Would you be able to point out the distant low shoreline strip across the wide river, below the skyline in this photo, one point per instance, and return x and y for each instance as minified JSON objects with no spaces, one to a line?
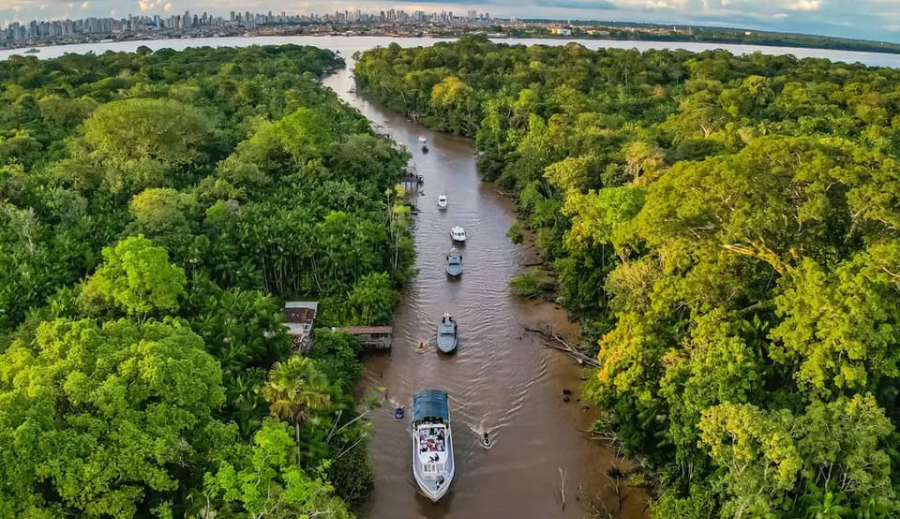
{"x":540,"y":29}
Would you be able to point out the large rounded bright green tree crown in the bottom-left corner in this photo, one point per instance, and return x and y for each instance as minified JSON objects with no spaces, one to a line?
{"x":101,"y":421}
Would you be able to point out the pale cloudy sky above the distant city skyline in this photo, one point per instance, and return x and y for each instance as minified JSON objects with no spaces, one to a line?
{"x":864,"y":19}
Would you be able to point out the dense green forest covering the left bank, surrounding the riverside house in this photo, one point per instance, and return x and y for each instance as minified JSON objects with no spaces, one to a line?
{"x":156,"y":208}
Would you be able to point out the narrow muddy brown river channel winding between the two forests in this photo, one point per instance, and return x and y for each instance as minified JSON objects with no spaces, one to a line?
{"x":502,"y":380}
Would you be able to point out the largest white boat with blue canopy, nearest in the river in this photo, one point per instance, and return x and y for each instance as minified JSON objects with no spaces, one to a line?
{"x":433,"y":465}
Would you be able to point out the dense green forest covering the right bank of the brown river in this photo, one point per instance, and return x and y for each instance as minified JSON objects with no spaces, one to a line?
{"x":728,"y":230}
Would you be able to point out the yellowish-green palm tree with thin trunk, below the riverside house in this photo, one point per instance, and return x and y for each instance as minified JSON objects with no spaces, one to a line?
{"x":294,"y":389}
